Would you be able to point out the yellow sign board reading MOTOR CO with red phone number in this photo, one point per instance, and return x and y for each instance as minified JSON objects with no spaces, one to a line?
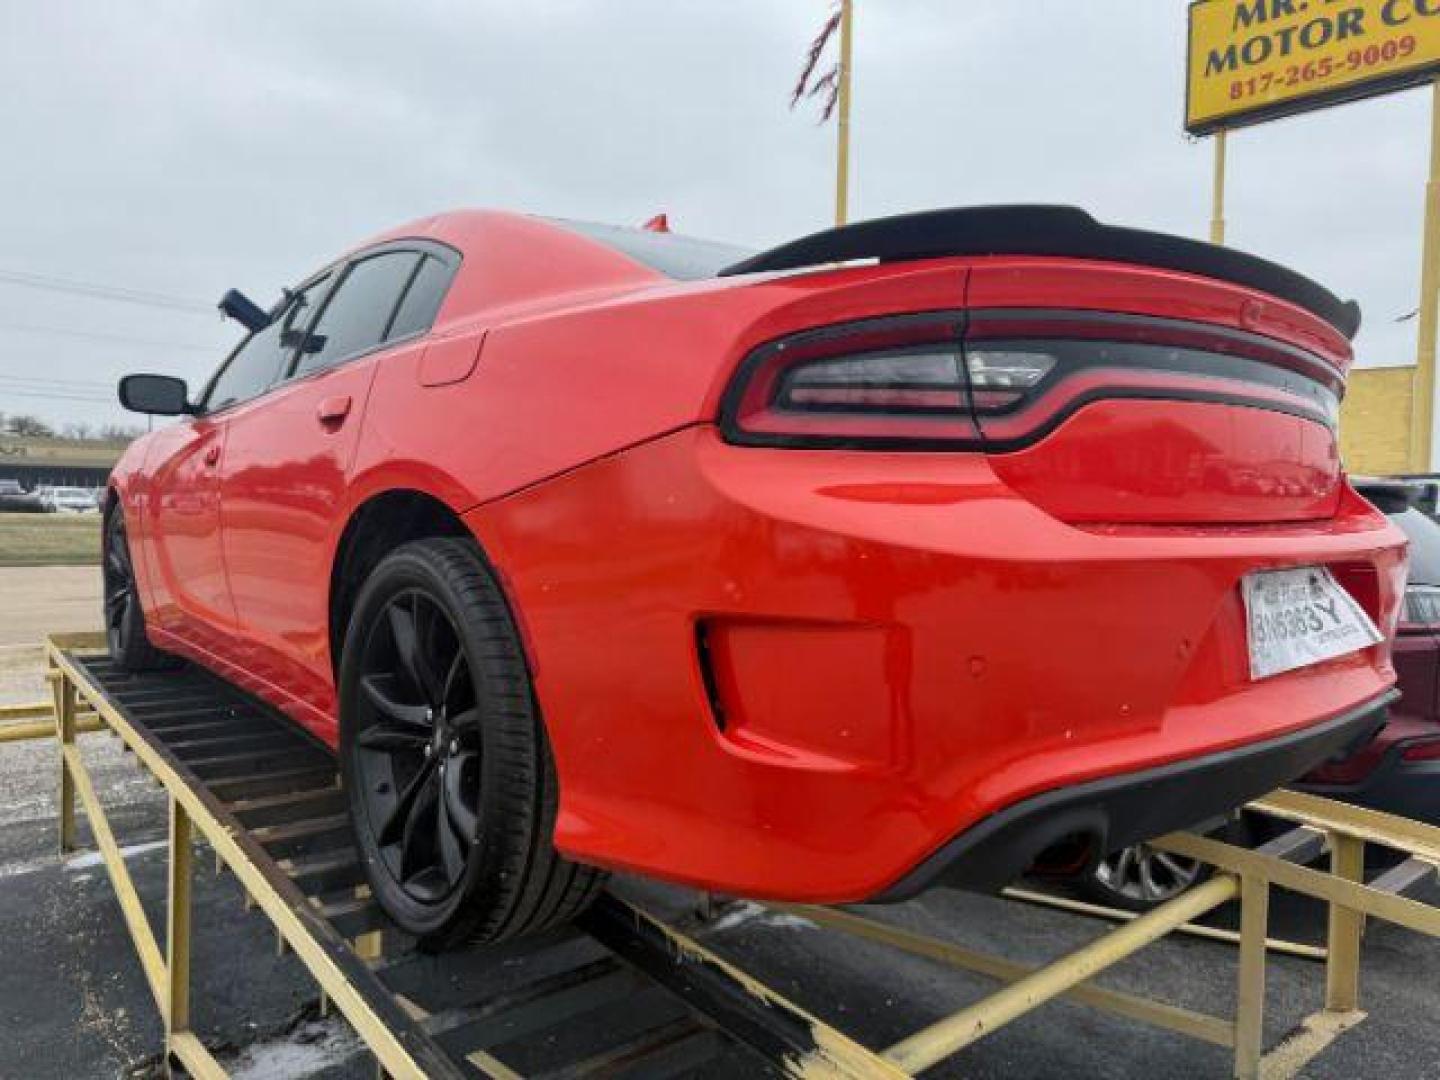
{"x":1259,"y":60}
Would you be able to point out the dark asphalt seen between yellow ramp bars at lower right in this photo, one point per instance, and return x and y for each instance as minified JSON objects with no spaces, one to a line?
{"x":881,"y":996}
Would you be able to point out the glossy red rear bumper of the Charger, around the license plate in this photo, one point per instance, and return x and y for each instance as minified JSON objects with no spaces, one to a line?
{"x":800,"y":675}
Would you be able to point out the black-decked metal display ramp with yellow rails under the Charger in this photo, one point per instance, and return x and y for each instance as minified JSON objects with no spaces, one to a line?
{"x":634,"y":994}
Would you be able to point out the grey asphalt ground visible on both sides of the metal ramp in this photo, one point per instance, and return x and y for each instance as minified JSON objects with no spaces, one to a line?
{"x":74,"y":1002}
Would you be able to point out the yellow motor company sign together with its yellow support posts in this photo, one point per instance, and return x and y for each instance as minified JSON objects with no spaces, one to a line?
{"x":1252,"y":61}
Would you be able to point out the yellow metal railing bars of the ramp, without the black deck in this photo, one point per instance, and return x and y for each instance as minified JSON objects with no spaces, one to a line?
{"x":1245,"y":876}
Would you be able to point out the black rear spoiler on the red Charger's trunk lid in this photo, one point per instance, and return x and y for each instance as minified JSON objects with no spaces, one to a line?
{"x":1061,"y":231}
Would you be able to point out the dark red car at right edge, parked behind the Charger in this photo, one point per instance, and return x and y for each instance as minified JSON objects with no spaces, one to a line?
{"x":1398,"y":771}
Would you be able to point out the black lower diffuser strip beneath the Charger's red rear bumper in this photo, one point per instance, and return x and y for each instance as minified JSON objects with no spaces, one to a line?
{"x":1127,"y":810}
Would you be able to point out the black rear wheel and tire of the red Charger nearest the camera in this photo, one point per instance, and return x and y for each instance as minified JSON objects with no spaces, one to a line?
{"x":450,"y":780}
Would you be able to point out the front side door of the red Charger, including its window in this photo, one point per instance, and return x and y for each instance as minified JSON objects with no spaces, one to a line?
{"x":191,"y":595}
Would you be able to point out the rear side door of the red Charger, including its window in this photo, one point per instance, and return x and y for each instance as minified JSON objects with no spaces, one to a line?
{"x":286,"y":473}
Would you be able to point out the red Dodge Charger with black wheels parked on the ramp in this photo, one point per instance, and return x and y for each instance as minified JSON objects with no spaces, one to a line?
{"x":922,"y":551}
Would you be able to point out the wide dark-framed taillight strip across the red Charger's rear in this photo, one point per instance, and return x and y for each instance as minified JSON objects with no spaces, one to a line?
{"x":1003,"y":379}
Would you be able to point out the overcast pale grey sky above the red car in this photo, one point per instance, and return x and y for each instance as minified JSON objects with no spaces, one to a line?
{"x":185,"y":148}
